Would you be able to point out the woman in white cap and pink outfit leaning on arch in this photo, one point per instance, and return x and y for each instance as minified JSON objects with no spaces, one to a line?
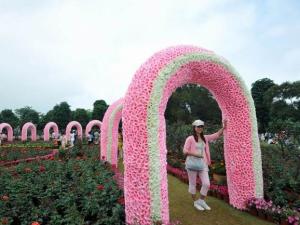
{"x":196,"y":148}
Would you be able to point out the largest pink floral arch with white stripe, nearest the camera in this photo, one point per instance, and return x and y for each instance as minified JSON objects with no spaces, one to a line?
{"x":144,"y":129}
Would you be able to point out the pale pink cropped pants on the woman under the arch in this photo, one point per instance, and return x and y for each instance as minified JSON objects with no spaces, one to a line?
{"x":204,"y":180}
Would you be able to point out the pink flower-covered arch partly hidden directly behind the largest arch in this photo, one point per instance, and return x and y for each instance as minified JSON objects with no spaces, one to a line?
{"x":109,"y":132}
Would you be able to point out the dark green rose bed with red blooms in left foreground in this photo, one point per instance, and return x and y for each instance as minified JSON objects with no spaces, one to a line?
{"x":72,"y":190}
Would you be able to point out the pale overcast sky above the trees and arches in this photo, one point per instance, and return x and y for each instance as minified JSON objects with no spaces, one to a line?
{"x":83,"y":50}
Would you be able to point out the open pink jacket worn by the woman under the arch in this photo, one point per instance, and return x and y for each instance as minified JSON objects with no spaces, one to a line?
{"x":190,"y":145}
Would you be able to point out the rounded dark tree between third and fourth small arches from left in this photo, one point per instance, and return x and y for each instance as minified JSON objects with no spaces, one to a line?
{"x":61,"y":115}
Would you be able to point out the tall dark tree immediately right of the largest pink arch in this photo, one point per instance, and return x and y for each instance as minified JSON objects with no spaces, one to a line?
{"x":258,"y":90}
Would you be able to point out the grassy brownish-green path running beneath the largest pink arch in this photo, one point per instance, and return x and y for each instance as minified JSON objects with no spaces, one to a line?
{"x":182,"y":209}
